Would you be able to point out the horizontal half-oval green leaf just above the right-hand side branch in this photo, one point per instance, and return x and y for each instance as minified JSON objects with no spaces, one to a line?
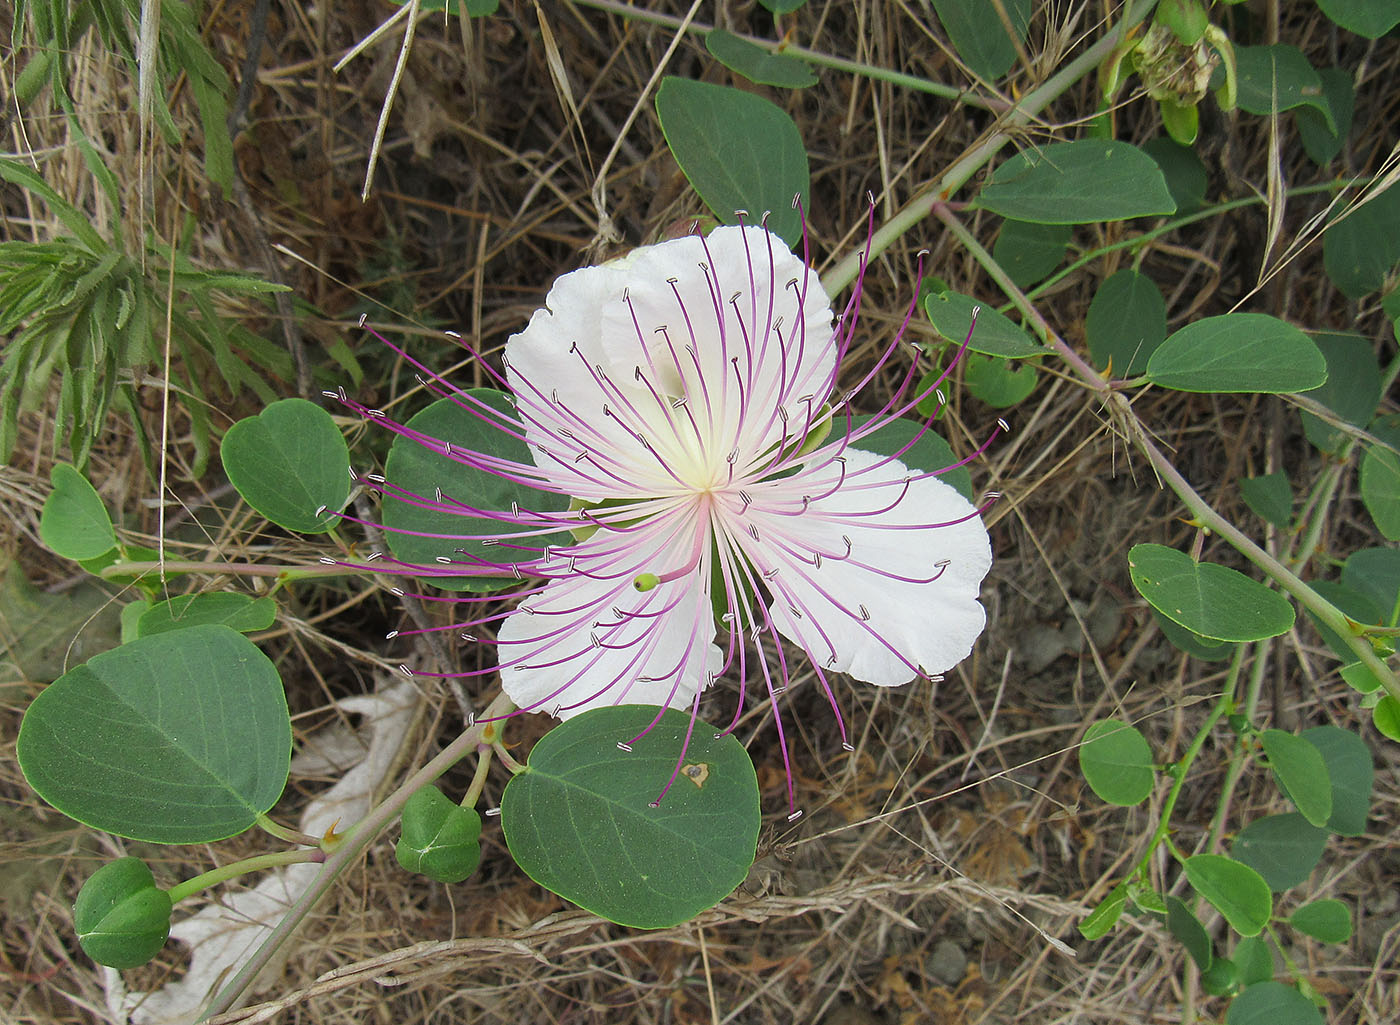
{"x":1238,"y":354}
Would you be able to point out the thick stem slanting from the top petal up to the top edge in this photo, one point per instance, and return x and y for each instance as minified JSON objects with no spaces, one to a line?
{"x":962,"y":170}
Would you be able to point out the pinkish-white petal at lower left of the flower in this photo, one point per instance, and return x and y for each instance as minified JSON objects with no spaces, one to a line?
{"x":590,"y":642}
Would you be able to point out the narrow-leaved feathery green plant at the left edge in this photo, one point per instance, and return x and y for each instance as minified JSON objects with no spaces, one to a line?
{"x":85,"y":310}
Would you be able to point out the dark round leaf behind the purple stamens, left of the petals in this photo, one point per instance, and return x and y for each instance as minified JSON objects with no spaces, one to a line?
{"x":422,"y":470}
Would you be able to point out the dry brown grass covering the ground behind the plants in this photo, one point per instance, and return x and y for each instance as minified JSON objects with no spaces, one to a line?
{"x":962,"y":814}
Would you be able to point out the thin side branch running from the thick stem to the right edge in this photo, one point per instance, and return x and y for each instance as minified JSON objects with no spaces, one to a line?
{"x":1122,"y":411}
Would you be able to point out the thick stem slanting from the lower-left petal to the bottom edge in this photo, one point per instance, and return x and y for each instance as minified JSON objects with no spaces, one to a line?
{"x":352,"y":846}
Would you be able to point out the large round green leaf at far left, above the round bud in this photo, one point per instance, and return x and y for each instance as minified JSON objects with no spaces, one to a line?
{"x":177,"y":739}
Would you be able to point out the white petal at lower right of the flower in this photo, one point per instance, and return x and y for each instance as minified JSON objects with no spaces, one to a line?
{"x":864,"y":614}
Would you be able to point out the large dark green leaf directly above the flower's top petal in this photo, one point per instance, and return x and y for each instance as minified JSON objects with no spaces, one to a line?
{"x":740,"y":152}
